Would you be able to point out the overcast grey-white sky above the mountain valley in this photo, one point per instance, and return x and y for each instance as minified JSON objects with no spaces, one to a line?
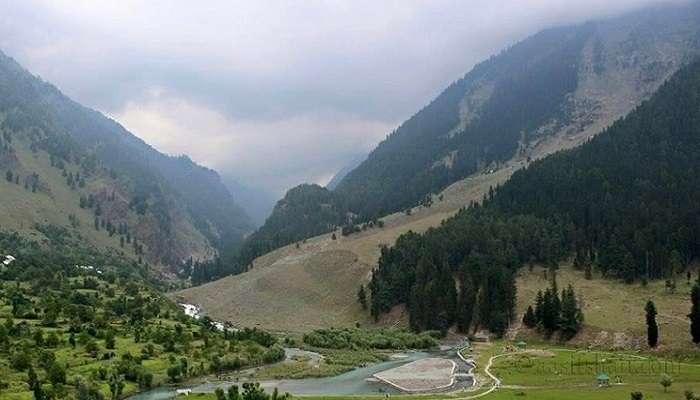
{"x":273,"y":93}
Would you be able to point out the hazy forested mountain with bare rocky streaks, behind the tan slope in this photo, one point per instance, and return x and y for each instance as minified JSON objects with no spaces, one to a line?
{"x":551,"y":91}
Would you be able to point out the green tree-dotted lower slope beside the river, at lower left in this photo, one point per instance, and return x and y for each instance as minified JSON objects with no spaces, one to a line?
{"x":103,"y":332}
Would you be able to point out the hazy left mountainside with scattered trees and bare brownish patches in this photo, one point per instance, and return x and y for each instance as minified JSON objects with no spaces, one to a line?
{"x":66,"y":166}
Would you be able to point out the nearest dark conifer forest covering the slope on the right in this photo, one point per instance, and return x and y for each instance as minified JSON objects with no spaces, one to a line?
{"x":625,"y":203}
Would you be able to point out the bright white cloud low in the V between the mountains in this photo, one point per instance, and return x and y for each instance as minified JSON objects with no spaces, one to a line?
{"x":268,"y":154}
